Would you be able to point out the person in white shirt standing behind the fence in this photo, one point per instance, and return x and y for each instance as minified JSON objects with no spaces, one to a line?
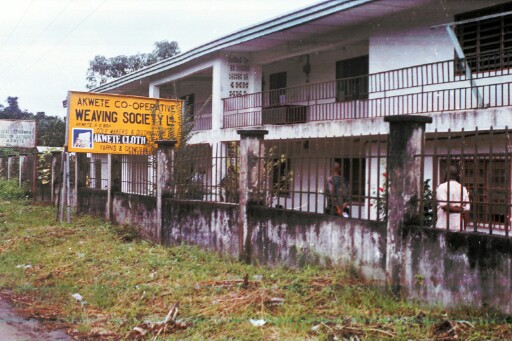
{"x":452,"y":202}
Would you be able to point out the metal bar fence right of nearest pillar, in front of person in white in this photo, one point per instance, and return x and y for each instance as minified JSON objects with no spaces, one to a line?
{"x":483,"y":159}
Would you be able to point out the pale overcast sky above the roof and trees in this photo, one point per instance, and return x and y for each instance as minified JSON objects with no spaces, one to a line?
{"x":46,"y":45}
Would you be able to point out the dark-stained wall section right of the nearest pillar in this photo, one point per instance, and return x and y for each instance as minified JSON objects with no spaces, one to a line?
{"x":453,"y":268}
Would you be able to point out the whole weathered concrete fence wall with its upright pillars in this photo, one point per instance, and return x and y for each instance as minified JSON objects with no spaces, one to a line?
{"x":432,"y":265}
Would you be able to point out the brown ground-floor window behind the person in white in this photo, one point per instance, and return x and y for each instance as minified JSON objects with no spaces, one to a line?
{"x":486,"y":180}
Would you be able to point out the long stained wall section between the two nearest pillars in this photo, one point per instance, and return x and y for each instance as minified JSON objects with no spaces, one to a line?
{"x":295,"y":238}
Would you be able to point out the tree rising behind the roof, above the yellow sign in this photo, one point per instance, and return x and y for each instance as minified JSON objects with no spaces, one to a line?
{"x":102,"y":69}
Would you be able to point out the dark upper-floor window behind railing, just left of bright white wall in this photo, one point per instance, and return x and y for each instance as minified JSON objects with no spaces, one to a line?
{"x":352,"y":79}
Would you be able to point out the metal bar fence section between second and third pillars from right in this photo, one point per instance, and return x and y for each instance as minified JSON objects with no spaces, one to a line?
{"x":206,"y":173}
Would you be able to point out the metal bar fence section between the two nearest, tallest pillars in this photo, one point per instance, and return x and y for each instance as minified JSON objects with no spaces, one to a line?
{"x":341,"y":176}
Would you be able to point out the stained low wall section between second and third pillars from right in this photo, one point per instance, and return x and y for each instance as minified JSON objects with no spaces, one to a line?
{"x":212,"y":226}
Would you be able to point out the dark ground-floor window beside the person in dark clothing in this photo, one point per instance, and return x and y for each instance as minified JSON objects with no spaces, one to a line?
{"x":354,"y":171}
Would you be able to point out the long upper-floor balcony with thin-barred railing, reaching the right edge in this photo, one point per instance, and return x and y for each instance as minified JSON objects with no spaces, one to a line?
{"x":420,"y":89}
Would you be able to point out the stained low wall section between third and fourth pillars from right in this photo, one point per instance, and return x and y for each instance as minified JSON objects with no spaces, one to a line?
{"x":138,"y":211}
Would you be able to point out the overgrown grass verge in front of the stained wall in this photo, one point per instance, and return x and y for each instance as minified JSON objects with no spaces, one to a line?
{"x":126,"y":281}
